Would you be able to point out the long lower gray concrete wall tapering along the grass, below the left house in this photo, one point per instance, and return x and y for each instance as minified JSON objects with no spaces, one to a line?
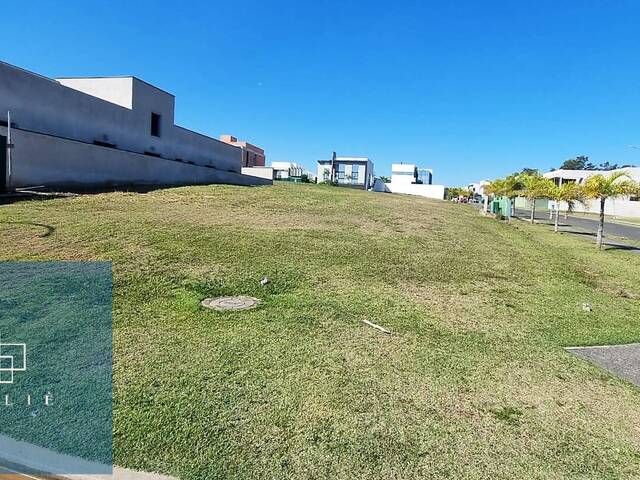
{"x":39,"y":159}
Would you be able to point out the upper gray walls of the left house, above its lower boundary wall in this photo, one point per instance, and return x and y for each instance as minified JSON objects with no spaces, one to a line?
{"x":46,"y":106}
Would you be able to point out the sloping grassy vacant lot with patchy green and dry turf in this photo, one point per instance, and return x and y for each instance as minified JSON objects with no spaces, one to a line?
{"x":473,"y":383}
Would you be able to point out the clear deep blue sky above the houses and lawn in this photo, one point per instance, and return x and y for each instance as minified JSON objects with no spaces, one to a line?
{"x":472,"y":89}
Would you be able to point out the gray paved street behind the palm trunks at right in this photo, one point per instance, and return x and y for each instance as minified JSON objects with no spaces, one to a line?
{"x":589,"y":226}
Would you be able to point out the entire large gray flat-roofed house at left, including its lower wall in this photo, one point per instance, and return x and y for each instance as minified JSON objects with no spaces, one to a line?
{"x":101,"y":132}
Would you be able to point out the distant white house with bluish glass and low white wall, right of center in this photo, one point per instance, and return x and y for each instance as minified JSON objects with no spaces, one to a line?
{"x":409,"y":179}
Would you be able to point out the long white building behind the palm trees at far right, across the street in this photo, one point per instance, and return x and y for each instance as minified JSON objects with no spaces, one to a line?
{"x":622,"y":207}
